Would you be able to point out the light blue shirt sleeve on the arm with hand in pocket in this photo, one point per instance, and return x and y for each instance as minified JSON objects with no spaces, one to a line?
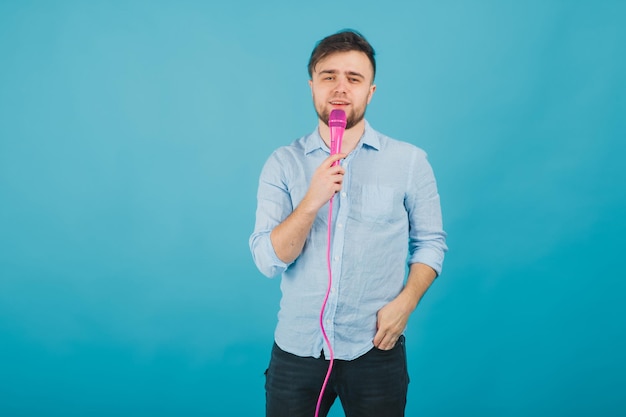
{"x":427,"y":239}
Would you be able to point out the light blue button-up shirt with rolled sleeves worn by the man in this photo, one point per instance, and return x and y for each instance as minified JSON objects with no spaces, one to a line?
{"x":386,"y":215}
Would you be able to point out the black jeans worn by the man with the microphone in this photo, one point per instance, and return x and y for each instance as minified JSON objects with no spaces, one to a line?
{"x":374,"y":384}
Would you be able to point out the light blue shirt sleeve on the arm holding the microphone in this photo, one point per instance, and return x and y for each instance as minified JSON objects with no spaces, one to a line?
{"x":273,"y":206}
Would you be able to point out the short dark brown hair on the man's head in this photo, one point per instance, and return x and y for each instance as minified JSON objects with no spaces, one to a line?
{"x":343,"y":41}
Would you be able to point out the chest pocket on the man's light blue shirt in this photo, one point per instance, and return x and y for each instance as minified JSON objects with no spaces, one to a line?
{"x":379,"y":204}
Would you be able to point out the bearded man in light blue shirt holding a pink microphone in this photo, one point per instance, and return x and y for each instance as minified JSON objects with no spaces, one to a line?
{"x":385,"y":196}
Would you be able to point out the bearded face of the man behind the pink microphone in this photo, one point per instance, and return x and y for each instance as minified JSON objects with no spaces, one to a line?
{"x":343,"y":80}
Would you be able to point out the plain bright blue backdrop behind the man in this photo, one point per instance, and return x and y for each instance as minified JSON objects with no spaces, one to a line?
{"x":131,"y":139}
